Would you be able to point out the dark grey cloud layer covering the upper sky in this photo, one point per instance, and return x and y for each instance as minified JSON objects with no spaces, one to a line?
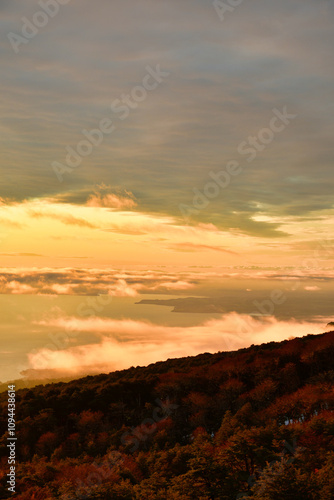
{"x":225,"y":79}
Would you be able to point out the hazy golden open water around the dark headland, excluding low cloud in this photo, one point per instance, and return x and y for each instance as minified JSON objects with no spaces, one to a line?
{"x":21,"y":315}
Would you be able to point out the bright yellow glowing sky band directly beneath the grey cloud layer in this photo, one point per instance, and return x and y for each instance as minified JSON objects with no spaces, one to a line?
{"x":112,"y":228}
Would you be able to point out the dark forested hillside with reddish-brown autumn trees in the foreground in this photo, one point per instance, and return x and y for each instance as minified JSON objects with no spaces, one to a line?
{"x":255,"y":423}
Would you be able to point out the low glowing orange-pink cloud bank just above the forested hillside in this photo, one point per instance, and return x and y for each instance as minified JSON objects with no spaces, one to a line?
{"x":126,"y":343}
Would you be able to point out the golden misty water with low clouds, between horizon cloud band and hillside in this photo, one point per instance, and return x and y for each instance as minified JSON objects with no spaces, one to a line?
{"x":73,"y":339}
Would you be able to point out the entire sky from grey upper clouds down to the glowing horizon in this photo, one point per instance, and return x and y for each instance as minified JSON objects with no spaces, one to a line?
{"x":141,"y":141}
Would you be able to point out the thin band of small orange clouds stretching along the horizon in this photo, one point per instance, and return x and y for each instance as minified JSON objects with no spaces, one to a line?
{"x":87,"y":281}
